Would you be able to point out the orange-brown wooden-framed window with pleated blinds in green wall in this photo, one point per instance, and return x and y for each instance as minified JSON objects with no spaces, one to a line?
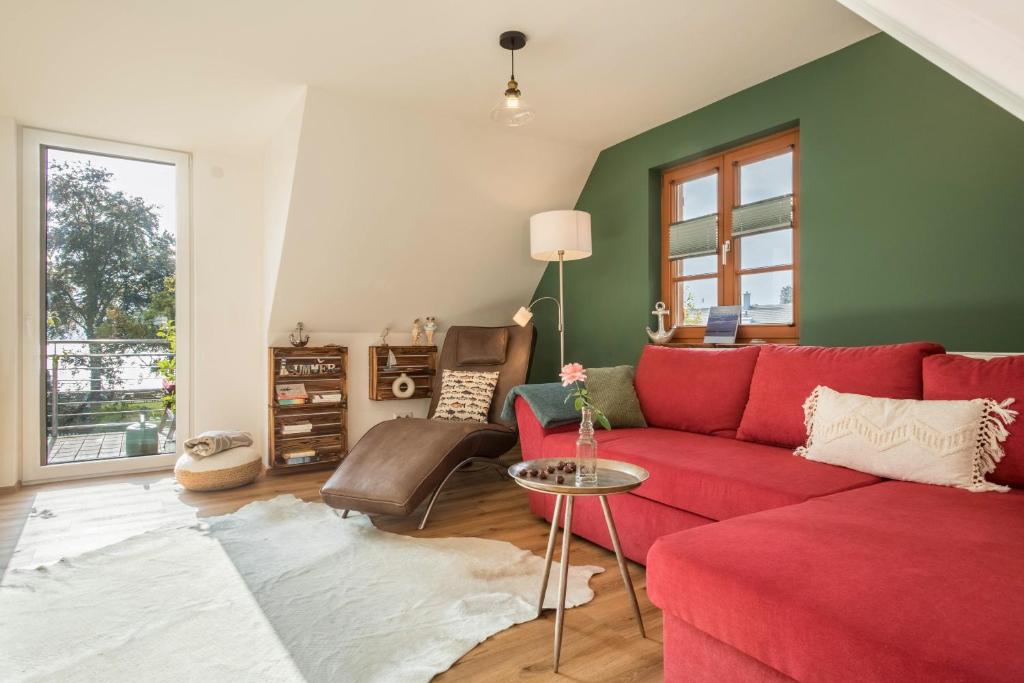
{"x":731,"y":229}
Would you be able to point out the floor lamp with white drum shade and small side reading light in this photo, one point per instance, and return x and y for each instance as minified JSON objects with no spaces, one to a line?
{"x":558,"y":236}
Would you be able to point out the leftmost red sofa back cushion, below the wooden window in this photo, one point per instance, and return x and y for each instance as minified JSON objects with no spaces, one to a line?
{"x":697,"y":391}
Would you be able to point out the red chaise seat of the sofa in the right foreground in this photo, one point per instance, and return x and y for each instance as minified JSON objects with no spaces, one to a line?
{"x":895,"y":582}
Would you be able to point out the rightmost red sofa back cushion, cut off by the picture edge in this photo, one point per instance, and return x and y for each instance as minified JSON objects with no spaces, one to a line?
{"x":954,"y":377}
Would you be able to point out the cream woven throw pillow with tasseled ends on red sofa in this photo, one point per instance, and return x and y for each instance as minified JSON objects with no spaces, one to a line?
{"x":948,"y":443}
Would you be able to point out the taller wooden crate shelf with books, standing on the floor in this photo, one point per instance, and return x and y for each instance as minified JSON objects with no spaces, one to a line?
{"x":309,"y":408}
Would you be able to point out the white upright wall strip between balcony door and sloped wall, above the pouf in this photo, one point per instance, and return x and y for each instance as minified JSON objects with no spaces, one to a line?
{"x":229,"y":350}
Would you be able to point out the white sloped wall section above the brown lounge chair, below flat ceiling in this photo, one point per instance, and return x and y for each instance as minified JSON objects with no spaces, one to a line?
{"x":398,"y":215}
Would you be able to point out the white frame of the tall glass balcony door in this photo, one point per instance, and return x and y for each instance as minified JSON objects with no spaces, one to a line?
{"x":33,"y":335}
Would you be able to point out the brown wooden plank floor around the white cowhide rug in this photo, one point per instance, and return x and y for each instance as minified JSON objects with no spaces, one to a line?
{"x":602,"y":644}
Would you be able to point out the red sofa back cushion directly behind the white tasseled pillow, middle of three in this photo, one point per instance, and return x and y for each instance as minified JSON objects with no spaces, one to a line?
{"x":786,"y":376}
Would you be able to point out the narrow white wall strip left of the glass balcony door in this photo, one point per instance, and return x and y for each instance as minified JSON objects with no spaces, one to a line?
{"x":11,"y":300}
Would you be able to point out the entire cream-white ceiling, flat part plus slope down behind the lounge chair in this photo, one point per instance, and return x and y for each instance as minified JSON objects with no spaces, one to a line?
{"x":404,"y":199}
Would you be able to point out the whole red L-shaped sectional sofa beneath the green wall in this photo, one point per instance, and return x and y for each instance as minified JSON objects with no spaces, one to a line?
{"x":772,"y":568}
